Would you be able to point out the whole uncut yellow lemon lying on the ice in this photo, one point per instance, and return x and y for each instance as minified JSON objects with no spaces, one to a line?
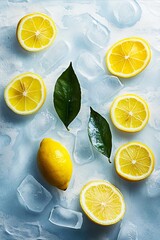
{"x":55,"y":163}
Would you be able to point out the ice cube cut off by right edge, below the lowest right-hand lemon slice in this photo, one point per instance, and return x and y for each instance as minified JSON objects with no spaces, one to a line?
{"x":153,"y":184}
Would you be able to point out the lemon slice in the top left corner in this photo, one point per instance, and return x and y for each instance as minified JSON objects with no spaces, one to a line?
{"x":36,"y":32}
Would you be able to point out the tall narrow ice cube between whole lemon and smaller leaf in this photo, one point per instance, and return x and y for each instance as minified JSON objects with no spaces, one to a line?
{"x":83,"y":152}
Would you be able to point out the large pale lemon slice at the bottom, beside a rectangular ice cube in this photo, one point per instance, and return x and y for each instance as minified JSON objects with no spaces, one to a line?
{"x":102,"y":202}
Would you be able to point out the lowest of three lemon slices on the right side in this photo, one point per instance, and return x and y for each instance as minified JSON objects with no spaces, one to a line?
{"x":134,"y":161}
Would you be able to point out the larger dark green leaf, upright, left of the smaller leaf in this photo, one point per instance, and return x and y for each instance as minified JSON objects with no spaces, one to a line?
{"x":67,"y":96}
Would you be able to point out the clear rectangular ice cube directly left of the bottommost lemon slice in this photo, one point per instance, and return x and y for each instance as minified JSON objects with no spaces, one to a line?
{"x":66,"y":217}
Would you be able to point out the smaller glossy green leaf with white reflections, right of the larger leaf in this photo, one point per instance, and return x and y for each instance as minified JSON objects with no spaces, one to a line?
{"x":100,"y":134}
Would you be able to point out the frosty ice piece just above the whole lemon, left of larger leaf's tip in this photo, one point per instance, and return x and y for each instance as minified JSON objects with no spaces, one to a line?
{"x":45,"y":121}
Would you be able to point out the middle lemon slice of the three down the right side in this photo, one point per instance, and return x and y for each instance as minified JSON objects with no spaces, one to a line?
{"x":129,"y":113}
